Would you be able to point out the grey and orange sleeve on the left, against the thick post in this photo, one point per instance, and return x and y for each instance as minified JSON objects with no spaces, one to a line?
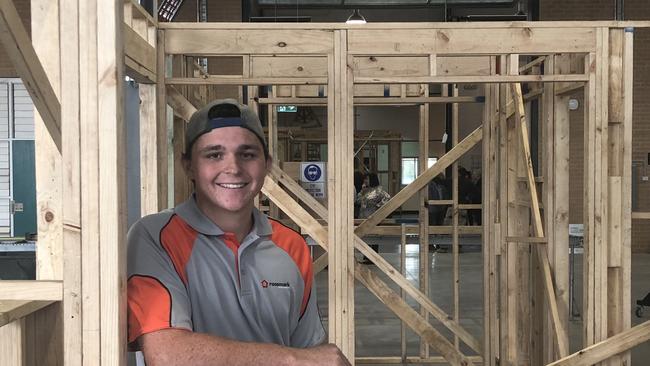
{"x":157,"y":297}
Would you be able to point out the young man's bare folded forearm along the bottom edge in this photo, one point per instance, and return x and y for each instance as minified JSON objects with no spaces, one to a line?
{"x":181,"y":347}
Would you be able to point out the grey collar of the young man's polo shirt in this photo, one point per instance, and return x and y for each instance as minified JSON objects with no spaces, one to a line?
{"x":189,"y":211}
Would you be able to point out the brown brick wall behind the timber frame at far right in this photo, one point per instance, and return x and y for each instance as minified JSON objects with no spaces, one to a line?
{"x":604,"y":10}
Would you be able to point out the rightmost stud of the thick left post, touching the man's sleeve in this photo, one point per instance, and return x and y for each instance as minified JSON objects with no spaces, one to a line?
{"x":112,"y":175}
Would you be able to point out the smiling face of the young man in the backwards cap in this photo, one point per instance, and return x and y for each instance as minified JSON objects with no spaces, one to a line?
{"x":228,"y":167}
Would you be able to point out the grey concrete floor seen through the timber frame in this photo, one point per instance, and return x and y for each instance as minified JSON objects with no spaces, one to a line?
{"x":378,"y":330}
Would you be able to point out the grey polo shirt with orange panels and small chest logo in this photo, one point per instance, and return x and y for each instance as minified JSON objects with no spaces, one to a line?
{"x":184,"y":272}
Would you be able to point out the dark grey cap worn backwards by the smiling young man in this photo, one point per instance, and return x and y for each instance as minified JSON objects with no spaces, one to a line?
{"x":223,"y":113}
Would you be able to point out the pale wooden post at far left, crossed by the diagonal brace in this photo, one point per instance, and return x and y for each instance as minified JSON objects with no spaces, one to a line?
{"x":45,"y":331}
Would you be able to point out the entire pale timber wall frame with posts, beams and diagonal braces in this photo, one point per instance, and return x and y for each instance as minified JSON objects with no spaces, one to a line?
{"x":75,"y":313}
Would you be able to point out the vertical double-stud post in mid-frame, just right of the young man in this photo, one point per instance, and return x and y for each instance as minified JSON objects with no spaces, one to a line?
{"x":341,"y":228}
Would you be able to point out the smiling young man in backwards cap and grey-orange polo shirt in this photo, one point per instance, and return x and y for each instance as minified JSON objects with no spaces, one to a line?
{"x":214,"y":281}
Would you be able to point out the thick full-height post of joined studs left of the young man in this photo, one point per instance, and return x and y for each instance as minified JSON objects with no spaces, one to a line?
{"x":95,"y":185}
